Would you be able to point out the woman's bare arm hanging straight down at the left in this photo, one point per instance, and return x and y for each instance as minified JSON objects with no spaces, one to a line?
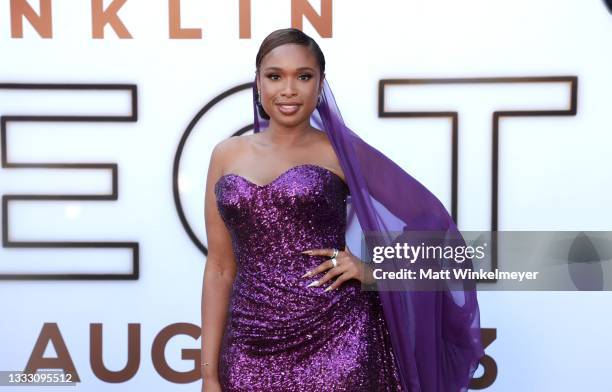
{"x":219,"y":272}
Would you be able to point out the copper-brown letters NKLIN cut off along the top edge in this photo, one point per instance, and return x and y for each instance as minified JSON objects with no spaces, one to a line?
{"x":102,"y":16}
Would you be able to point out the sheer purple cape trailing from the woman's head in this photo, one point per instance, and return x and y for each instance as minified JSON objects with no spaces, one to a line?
{"x":435,"y":334}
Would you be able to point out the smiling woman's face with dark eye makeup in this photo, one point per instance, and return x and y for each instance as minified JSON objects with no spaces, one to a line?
{"x":289,"y":84}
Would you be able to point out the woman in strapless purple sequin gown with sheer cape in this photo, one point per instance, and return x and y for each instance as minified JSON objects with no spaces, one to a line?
{"x":275,"y":210}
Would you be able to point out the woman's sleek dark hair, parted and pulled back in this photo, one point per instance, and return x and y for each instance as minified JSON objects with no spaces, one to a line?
{"x":282,"y":37}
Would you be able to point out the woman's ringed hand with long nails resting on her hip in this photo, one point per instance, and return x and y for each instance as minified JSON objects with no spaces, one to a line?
{"x":347,"y":267}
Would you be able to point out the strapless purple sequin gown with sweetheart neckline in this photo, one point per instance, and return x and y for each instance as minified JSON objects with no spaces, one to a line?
{"x":282,"y":335}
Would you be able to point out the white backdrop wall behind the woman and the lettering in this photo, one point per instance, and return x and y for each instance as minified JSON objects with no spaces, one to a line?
{"x":554,"y":170}
